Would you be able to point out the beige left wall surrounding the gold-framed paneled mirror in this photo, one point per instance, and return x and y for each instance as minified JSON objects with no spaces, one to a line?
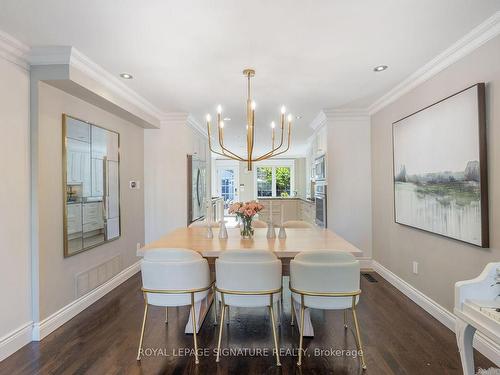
{"x":57,"y":274}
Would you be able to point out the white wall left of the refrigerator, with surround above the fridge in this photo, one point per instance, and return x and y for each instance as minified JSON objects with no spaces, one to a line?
{"x":165,"y":175}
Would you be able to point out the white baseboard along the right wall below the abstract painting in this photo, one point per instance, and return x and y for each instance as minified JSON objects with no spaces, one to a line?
{"x":483,"y":344}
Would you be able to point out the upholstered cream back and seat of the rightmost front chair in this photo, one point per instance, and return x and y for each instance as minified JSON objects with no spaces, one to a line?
{"x":325,"y":271}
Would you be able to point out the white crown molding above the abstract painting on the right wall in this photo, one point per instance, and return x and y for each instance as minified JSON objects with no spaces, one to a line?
{"x":478,"y":36}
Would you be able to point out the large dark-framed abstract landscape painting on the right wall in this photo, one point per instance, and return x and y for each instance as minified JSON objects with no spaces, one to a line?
{"x":440,"y":168}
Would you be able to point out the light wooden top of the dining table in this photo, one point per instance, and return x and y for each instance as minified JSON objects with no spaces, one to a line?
{"x":297,"y":240}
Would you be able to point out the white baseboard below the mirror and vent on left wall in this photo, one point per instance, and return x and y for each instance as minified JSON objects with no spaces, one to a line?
{"x":54,"y":321}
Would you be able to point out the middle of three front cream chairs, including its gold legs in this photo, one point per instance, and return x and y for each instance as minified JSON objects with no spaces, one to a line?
{"x":237,"y":284}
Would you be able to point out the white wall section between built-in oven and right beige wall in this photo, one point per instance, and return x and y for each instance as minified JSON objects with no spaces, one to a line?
{"x":349,"y":179}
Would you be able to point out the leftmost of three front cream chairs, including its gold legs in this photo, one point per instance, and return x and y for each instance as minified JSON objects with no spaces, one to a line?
{"x":174,"y":277}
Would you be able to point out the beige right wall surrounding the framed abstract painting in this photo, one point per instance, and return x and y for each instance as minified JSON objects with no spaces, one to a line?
{"x":442,"y":261}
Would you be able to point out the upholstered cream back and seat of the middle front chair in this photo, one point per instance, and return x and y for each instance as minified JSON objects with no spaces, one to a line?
{"x":248,"y":271}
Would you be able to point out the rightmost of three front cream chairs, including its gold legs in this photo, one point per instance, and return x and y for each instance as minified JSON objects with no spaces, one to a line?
{"x":328,"y":280}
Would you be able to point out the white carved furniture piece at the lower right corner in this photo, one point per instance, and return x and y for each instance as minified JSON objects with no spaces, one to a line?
{"x":476,"y":305}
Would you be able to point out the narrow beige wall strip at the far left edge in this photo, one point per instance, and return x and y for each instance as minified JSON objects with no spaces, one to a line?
{"x":15,"y":253}
